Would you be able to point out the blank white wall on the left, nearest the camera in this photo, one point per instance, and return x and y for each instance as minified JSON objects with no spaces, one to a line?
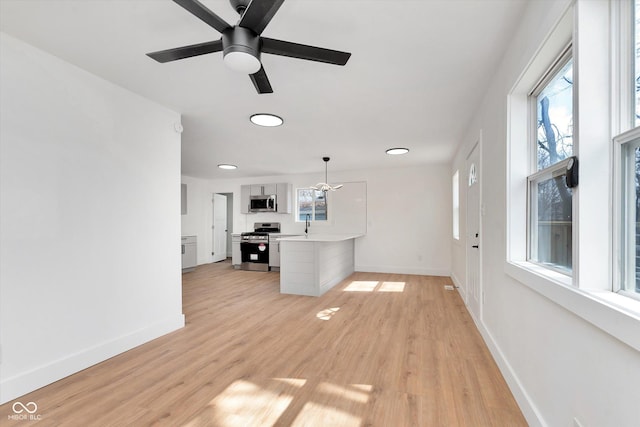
{"x":89,"y":219}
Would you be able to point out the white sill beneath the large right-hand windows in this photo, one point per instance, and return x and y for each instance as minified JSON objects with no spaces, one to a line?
{"x":617,"y":315}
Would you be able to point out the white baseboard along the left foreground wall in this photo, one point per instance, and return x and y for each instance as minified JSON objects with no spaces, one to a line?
{"x":26,"y":382}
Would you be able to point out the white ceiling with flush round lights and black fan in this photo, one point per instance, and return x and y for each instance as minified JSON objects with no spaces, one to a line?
{"x":417,"y":73}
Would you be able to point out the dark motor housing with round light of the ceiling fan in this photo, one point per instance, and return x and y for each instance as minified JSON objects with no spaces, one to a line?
{"x":241,"y":49}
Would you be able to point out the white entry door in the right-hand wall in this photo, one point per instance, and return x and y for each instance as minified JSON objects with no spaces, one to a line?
{"x":474,"y":277}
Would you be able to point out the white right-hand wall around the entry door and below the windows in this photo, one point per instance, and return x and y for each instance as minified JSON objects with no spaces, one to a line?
{"x":559,"y":366}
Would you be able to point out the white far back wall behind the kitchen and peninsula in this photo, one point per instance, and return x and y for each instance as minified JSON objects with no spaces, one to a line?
{"x":408,"y":216}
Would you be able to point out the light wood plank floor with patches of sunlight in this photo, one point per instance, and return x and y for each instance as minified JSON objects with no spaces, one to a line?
{"x":377,"y":350}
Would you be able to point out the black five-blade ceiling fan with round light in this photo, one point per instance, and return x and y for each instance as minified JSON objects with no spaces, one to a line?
{"x":242,"y":43}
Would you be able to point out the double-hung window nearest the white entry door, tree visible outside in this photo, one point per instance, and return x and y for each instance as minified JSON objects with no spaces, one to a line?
{"x":550,"y":200}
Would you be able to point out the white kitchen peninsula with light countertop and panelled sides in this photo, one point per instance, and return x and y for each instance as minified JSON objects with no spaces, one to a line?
{"x":311,"y":265}
